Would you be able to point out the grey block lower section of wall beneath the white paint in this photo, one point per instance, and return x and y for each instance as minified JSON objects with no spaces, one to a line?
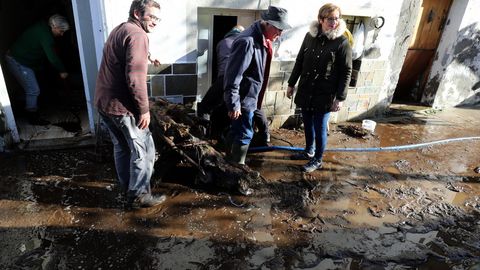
{"x":178,"y":82}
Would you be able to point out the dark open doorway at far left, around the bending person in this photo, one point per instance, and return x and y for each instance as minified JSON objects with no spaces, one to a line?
{"x":61,"y":102}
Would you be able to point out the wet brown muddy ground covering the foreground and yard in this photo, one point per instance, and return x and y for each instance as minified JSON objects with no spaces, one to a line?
{"x":414,"y":209}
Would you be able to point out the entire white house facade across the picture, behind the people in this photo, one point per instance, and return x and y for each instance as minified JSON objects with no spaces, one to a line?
{"x":185,"y":39}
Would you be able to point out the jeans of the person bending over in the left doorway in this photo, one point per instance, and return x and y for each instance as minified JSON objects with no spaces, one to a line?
{"x":26,"y":77}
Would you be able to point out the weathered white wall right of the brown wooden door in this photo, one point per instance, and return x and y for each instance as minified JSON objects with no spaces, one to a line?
{"x":455,"y":77}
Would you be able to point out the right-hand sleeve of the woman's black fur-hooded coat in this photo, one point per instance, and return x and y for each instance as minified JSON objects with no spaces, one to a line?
{"x":344,"y":70}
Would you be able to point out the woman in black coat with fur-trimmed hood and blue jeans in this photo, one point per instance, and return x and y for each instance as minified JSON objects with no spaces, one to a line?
{"x":324,"y":66}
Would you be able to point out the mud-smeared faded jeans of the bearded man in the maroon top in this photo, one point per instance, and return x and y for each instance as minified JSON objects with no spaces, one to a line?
{"x":134,"y":153}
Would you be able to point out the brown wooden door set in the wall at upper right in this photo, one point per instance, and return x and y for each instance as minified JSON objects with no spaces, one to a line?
{"x":421,"y":52}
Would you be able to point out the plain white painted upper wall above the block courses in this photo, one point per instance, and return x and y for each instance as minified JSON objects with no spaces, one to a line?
{"x":175,"y":39}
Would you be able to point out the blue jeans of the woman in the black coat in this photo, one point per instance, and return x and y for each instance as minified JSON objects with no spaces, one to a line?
{"x":315,"y":124}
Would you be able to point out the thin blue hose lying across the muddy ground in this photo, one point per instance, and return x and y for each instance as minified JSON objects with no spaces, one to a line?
{"x":372,"y":149}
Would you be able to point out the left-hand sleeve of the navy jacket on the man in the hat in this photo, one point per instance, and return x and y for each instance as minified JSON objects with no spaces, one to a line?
{"x":241,"y":55}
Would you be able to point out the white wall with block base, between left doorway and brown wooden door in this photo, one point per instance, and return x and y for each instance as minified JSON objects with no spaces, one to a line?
{"x":175,"y":44}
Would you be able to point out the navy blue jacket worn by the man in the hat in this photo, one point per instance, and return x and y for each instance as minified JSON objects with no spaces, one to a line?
{"x":244,"y":72}
